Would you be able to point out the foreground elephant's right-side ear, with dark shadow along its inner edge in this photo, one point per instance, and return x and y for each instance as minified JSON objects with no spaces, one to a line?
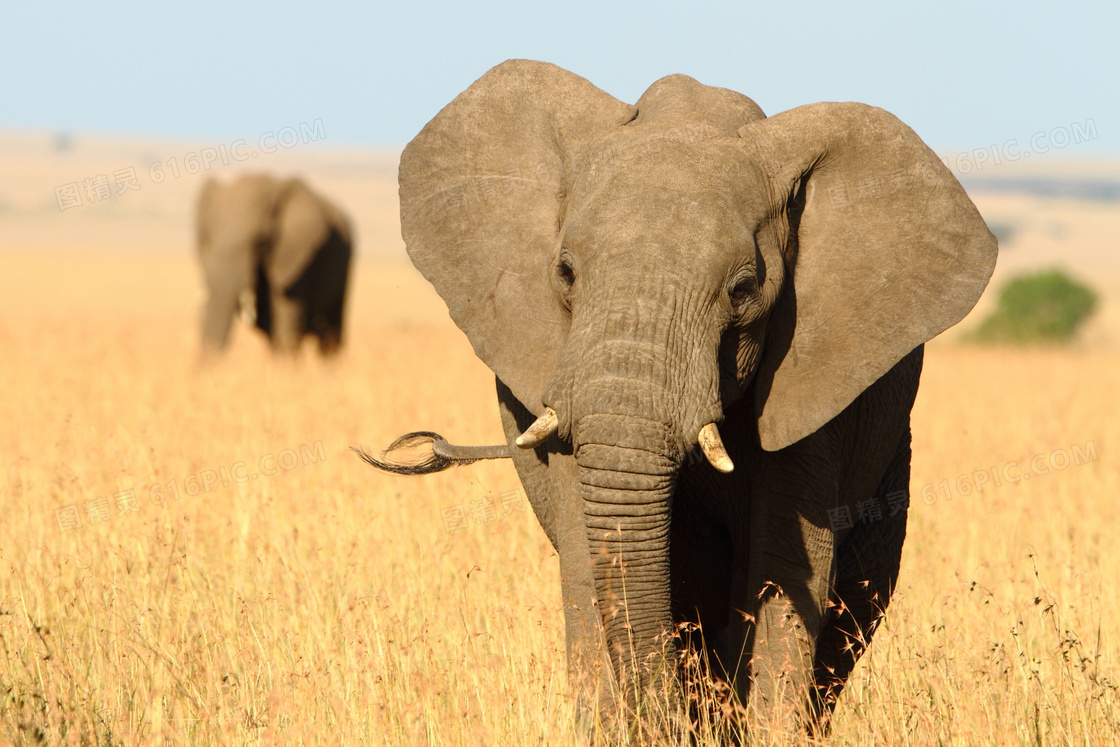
{"x":886,"y":251}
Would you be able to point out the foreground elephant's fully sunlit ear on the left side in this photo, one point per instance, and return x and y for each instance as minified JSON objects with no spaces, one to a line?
{"x":482,"y":192}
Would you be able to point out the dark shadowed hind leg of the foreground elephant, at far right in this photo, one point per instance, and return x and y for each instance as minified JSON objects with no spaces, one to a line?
{"x":867,"y":572}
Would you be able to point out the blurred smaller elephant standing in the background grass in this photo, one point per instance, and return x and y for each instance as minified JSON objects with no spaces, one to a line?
{"x":278,"y":254}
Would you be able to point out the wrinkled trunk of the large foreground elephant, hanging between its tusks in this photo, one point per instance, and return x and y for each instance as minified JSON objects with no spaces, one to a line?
{"x":634,"y":394}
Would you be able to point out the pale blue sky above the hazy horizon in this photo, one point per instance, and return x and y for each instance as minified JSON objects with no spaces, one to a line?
{"x":964,"y":76}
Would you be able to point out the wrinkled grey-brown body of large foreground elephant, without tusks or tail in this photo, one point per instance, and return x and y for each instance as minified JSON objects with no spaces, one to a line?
{"x":647,"y":270}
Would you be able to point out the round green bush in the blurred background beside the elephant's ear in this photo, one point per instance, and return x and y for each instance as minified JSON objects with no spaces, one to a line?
{"x":1041,"y":309}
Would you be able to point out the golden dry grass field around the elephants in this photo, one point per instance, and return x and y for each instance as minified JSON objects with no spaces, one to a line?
{"x":304,"y":599}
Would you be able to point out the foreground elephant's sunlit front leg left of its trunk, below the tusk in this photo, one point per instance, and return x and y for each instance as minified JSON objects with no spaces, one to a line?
{"x":552,"y":481}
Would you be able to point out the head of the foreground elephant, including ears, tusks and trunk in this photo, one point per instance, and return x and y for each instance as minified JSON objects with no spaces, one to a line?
{"x":630,"y":273}
